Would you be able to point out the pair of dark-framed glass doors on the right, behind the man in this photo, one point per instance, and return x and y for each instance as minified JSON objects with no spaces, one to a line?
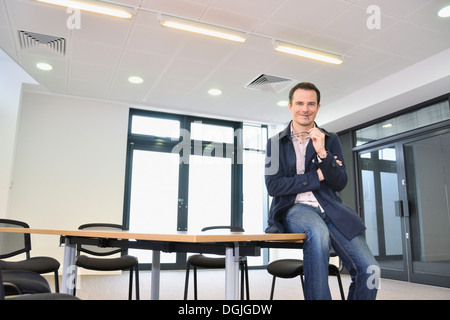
{"x":405,"y":203}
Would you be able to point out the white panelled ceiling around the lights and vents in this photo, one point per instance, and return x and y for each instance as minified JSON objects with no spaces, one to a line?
{"x":405,"y":61}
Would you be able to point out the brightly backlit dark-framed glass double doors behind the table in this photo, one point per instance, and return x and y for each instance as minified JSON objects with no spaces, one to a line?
{"x":181,"y":176}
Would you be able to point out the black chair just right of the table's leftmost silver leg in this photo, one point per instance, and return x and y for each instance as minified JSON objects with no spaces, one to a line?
{"x":124,"y":262}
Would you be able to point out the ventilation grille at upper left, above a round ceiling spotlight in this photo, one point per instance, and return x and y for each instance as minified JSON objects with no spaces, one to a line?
{"x":30,"y":40}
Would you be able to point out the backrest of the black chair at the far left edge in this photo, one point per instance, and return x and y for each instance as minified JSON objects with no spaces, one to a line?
{"x":12,"y":244}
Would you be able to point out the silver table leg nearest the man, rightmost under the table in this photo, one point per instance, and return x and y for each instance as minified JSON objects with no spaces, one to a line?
{"x":232,"y":273}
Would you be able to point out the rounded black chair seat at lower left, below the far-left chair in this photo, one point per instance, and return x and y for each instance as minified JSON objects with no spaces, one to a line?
{"x":28,"y":282}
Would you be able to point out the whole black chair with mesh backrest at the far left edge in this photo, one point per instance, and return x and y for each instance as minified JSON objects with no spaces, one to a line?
{"x":17,"y":243}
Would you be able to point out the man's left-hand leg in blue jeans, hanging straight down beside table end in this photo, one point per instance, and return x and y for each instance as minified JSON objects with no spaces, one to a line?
{"x":302,"y":218}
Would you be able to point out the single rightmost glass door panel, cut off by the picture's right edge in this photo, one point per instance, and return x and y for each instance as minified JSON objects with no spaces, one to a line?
{"x":427,"y":167}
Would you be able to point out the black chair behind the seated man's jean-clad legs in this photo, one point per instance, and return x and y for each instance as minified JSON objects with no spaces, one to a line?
{"x":291,"y":268}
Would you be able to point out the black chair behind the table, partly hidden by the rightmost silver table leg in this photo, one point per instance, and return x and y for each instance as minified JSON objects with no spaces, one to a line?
{"x":201,"y":261}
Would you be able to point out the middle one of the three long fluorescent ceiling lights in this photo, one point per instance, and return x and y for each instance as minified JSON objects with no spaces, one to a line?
{"x":202,"y":28}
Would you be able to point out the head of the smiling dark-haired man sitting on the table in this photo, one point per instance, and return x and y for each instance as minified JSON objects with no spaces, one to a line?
{"x":304,"y":103}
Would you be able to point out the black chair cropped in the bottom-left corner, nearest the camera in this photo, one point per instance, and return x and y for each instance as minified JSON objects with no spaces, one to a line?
{"x":27,"y":285}
